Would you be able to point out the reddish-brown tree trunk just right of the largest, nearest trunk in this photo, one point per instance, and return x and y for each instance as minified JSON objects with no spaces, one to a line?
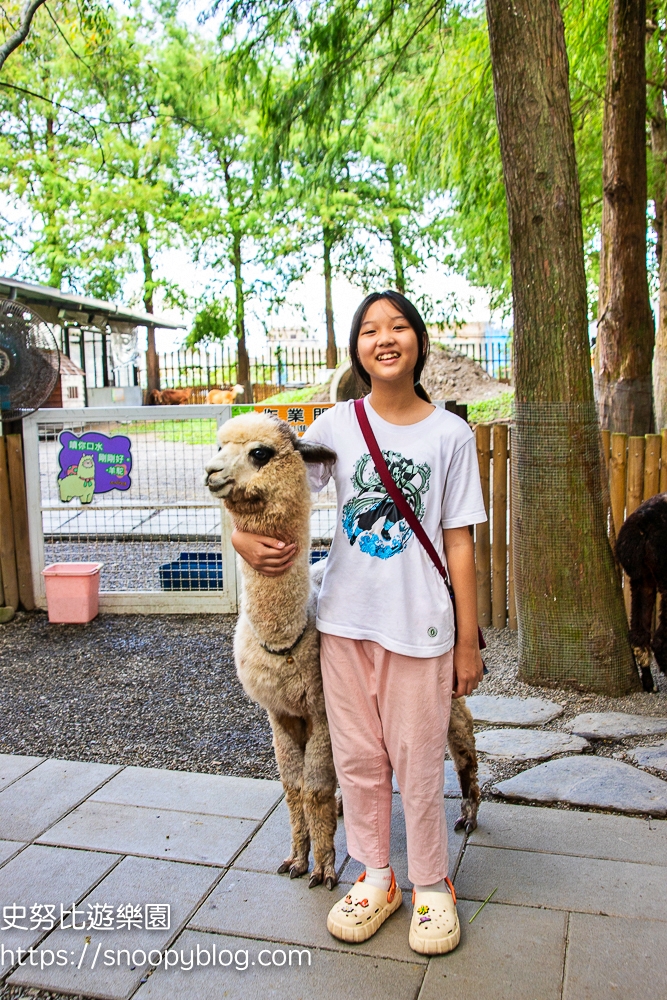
{"x":624,"y":349}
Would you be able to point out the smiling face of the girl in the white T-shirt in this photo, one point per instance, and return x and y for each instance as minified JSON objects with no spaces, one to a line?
{"x":387,"y":345}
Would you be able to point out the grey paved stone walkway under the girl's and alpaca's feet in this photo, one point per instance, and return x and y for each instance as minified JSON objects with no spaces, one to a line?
{"x":579,"y":910}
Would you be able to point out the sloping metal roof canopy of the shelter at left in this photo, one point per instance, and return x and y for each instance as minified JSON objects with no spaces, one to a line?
{"x":77,"y":308}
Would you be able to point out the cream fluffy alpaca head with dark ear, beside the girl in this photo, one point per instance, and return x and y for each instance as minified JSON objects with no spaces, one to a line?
{"x":260,"y":460}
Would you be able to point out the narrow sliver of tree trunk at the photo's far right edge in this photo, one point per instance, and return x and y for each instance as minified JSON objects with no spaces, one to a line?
{"x":659,"y":150}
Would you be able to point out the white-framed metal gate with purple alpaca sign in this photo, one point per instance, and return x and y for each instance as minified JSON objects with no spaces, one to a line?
{"x":163,"y":540}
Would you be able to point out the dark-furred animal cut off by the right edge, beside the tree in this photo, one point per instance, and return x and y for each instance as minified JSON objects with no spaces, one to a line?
{"x":641,"y":549}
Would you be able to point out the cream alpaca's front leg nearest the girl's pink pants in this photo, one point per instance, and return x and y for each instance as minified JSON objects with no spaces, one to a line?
{"x":320,"y":804}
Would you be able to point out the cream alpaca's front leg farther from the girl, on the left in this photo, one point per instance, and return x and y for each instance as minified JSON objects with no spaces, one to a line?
{"x":289,"y":736}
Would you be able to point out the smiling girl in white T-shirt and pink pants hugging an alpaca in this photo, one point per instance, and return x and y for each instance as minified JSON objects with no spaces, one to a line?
{"x":391,"y":660}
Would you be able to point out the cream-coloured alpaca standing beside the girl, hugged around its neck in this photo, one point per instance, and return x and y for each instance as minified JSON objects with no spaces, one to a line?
{"x":260,"y":474}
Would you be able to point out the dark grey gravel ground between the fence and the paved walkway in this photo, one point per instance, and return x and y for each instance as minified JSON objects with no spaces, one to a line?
{"x":161,"y":691}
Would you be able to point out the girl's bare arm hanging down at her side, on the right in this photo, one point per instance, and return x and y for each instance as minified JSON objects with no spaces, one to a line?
{"x":460,"y":555}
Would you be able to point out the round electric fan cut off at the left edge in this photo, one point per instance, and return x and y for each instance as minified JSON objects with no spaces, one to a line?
{"x":29,"y":360}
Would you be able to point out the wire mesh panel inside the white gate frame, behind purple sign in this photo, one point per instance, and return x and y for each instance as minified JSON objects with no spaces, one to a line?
{"x":162,"y":531}
